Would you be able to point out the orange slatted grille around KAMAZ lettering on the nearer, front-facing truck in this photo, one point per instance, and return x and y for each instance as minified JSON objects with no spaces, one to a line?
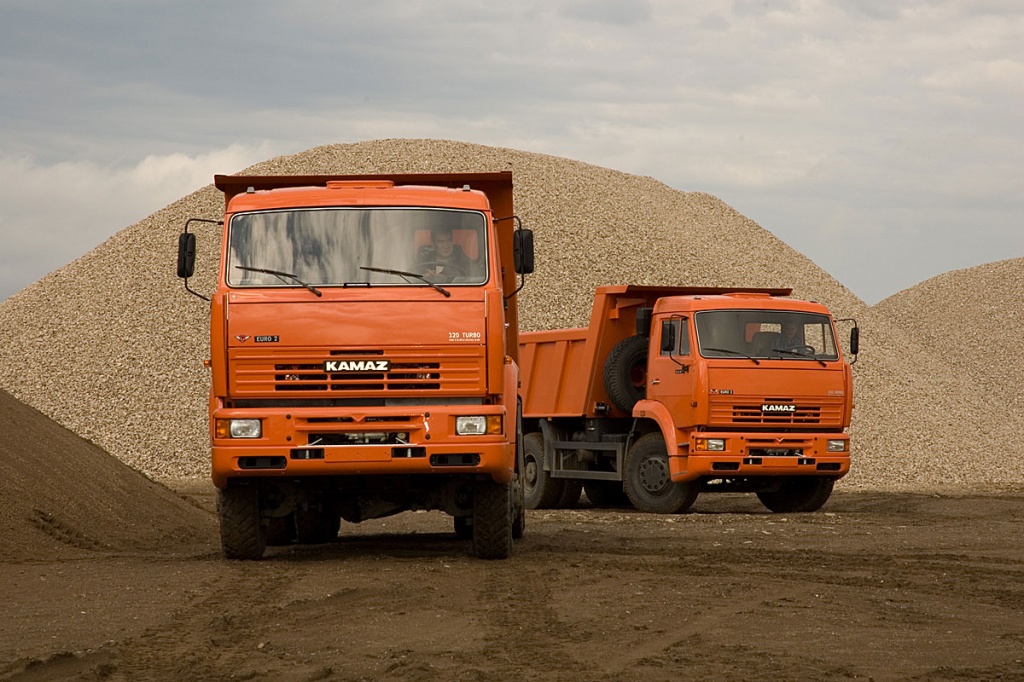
{"x":301,"y":373}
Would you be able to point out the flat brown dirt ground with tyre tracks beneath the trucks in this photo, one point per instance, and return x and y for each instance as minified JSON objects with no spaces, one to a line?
{"x":876,"y":586}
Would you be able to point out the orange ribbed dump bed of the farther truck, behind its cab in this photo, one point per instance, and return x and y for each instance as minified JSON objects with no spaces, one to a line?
{"x":563,"y":371}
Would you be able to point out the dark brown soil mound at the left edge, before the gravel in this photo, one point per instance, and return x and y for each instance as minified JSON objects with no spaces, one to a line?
{"x":61,"y":494}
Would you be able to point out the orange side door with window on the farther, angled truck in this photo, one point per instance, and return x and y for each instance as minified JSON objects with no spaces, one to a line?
{"x":670,"y":379}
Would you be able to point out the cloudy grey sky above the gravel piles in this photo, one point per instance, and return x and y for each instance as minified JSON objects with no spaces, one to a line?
{"x":884,"y":140}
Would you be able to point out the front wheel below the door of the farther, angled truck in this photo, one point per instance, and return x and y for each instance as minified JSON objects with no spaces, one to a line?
{"x":648,"y":483}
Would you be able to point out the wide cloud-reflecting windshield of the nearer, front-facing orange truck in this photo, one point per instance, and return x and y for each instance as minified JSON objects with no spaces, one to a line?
{"x":357,"y":246}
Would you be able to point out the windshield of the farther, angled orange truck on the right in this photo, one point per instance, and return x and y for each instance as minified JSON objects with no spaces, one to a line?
{"x":765,"y":334}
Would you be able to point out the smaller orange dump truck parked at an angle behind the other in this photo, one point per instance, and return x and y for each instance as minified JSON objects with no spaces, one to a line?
{"x":677,"y":391}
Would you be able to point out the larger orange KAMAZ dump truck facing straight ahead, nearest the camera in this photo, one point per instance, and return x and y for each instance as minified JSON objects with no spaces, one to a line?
{"x":364,"y":356}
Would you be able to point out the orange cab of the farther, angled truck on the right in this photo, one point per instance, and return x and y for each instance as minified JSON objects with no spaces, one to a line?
{"x":751,"y":381}
